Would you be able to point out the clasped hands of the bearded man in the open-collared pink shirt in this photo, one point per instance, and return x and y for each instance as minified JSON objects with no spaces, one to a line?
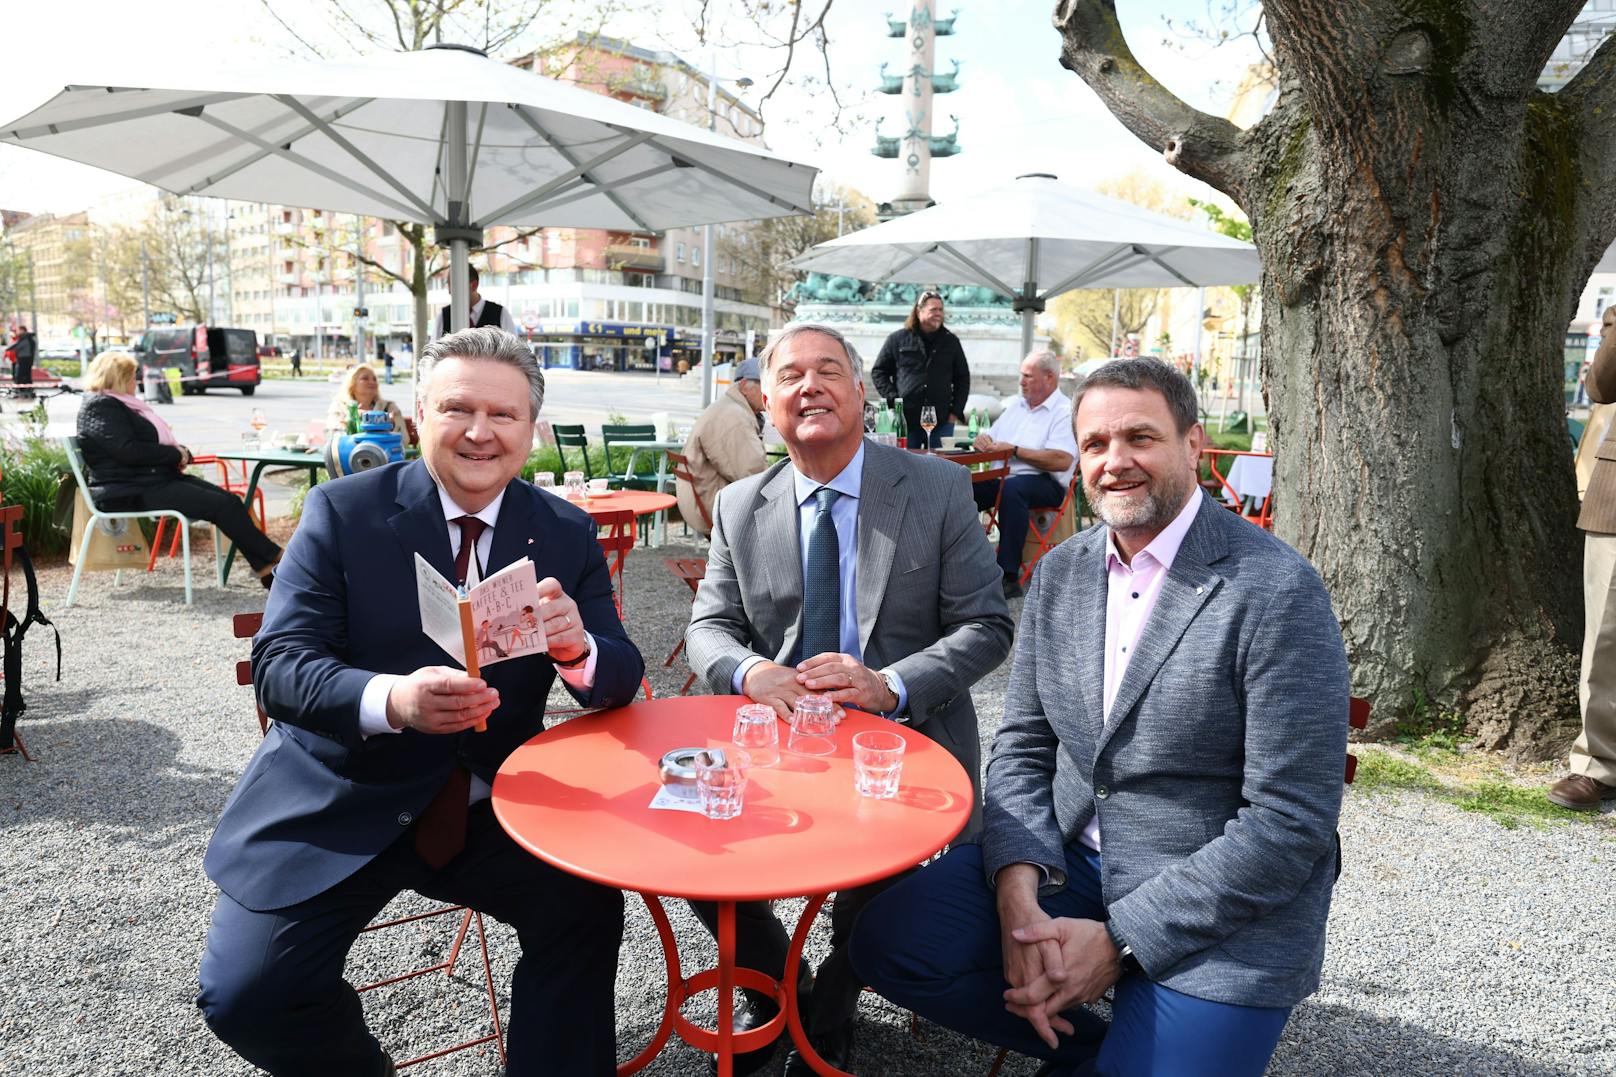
{"x":1051,"y":963}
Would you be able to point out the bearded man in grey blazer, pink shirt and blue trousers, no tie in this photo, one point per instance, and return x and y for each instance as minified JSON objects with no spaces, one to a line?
{"x":1164,"y":792}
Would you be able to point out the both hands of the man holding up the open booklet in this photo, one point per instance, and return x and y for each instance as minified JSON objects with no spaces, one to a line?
{"x":444,"y":699}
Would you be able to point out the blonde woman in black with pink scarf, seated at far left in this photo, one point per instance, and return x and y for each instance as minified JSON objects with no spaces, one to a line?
{"x":137,"y":463}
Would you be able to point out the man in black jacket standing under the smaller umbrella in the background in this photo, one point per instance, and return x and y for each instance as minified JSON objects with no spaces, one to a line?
{"x":925,"y":365}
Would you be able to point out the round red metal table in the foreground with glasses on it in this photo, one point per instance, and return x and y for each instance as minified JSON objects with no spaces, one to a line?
{"x":579,"y":796}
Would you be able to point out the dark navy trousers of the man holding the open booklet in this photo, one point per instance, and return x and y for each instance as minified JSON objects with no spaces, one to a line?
{"x":274,"y":990}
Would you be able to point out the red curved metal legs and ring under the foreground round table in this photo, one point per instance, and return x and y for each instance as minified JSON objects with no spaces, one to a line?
{"x":725,"y":1042}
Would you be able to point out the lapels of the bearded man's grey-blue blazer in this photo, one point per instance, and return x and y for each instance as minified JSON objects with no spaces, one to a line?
{"x":1190,"y":585}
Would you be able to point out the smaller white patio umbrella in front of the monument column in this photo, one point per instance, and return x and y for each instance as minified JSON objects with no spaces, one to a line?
{"x":1043,"y":234}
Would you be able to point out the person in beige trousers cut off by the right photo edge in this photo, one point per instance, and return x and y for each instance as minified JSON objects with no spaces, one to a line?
{"x":1594,"y":756}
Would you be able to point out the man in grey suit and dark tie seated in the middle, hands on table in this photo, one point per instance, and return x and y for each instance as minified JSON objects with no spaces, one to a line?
{"x":859,"y":572}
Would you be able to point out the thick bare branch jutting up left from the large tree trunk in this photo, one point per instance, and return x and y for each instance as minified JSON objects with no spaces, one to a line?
{"x":1198,"y":145}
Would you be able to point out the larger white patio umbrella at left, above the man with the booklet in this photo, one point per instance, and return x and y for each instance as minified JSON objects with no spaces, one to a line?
{"x":442,"y":137}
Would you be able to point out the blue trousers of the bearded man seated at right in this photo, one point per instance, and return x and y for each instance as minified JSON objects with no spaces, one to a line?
{"x":933,"y":945}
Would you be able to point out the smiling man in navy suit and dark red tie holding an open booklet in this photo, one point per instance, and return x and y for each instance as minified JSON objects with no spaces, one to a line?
{"x":372,"y":780}
